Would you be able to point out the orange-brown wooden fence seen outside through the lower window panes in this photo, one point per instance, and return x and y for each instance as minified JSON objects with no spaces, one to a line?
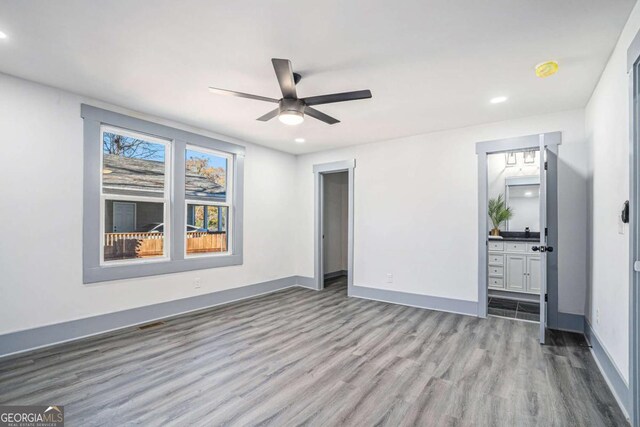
{"x":142,"y":245}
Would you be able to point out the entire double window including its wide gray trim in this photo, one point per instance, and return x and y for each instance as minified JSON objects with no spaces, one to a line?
{"x":157,"y":199}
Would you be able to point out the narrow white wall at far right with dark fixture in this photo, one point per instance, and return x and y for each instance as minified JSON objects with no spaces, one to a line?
{"x":607,"y":130}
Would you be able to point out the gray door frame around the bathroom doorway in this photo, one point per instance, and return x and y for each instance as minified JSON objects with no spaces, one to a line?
{"x":532,"y":142}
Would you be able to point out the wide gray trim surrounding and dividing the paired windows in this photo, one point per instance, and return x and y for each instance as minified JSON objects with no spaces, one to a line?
{"x":93,"y":211}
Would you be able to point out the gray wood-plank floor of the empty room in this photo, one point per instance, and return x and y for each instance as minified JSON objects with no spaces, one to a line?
{"x":302,"y":357}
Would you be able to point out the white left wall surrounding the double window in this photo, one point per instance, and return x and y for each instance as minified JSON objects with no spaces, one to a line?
{"x":41,"y":218}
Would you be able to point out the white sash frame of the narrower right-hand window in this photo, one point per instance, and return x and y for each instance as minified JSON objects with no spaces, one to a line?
{"x":228,"y":203}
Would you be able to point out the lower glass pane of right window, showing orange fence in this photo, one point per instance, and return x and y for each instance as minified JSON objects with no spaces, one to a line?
{"x":207,"y":229}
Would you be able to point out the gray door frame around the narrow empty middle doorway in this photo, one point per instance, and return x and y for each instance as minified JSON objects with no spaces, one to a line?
{"x":319,"y":171}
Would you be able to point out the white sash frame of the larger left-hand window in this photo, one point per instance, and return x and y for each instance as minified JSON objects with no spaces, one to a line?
{"x":165,"y":199}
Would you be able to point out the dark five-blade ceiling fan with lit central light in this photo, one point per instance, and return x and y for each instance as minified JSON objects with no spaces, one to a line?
{"x":291,"y":109}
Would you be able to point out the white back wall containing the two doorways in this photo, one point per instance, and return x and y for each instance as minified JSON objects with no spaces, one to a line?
{"x":416,"y":209}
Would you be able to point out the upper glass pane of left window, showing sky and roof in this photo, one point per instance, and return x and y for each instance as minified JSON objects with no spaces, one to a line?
{"x":132,"y":166}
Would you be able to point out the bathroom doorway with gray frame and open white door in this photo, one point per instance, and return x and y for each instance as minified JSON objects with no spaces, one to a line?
{"x":517,"y":229}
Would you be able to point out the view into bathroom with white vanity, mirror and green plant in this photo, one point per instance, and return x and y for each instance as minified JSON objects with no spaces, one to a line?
{"x":513,"y":209}
